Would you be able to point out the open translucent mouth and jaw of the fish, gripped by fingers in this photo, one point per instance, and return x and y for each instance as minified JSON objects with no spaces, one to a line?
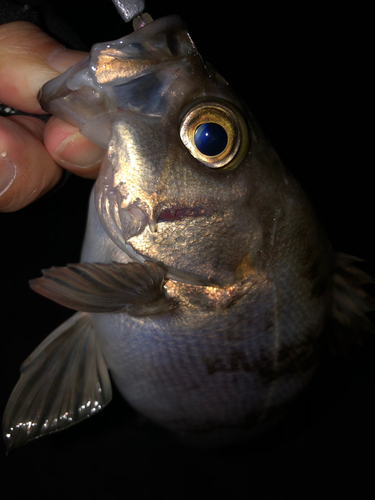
{"x":116,"y":76}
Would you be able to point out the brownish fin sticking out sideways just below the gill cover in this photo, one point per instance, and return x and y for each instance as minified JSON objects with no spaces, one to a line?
{"x":134,"y":288}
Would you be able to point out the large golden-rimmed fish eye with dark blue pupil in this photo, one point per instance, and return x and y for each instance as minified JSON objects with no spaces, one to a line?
{"x":215,"y":133}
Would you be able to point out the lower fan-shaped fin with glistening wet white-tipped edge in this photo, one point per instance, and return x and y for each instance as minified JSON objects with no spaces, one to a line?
{"x":64,"y":381}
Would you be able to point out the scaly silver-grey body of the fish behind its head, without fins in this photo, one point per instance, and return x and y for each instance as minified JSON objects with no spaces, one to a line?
{"x":224,"y":362}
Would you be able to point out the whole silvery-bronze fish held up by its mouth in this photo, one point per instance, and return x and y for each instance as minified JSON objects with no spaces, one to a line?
{"x":208,"y":338}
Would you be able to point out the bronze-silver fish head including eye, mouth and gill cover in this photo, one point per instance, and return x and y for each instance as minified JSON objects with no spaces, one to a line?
{"x":188,"y":181}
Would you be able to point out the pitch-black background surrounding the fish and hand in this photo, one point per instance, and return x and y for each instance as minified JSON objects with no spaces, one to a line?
{"x":304,"y":72}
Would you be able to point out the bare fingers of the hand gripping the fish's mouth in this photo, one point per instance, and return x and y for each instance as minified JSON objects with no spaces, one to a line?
{"x":33,"y":153}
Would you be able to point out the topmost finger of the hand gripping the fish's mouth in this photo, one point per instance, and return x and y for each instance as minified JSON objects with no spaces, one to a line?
{"x":28,"y":59}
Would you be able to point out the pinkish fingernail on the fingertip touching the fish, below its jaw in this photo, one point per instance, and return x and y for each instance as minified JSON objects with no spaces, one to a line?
{"x":79,"y":151}
